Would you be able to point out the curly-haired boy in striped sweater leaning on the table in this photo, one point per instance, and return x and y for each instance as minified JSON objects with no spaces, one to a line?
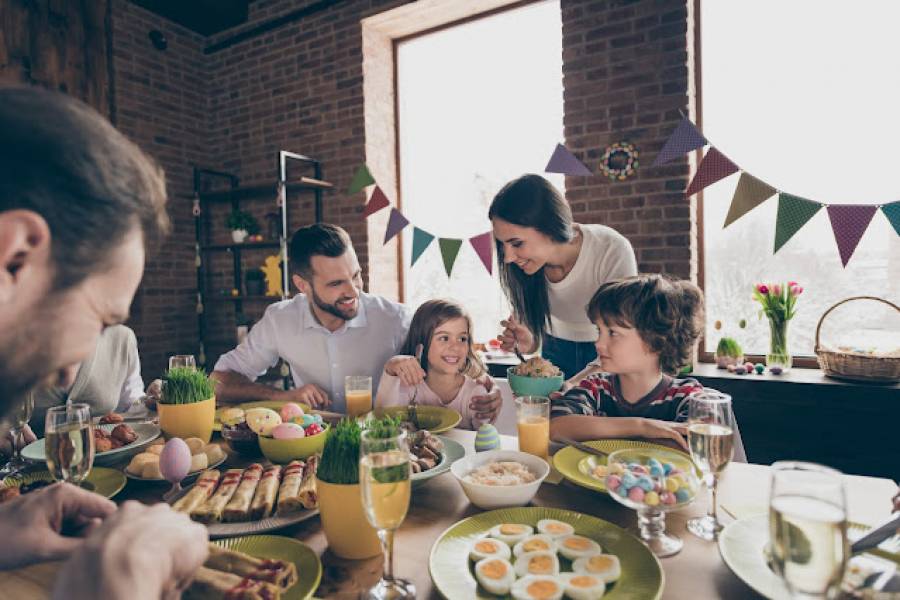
{"x":647,"y":325}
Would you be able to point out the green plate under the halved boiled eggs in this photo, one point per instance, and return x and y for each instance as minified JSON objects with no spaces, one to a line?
{"x":642,"y":575}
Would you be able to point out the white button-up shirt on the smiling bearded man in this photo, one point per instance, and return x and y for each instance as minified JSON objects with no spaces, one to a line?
{"x":288,"y":330}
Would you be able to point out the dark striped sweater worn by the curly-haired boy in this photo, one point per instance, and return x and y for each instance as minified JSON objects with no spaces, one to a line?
{"x":600,"y":395}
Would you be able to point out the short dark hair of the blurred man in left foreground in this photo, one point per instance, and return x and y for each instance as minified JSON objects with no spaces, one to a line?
{"x":65,"y":162}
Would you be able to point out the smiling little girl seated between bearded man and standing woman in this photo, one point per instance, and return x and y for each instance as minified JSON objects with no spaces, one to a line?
{"x":448,"y":373}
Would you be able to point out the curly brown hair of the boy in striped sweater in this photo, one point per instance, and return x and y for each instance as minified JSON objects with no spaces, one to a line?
{"x":667,"y":313}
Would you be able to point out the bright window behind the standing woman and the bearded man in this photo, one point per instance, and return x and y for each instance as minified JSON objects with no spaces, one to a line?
{"x":479,"y":104}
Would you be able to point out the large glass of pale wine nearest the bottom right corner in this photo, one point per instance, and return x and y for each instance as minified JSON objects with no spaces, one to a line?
{"x":808,"y":528}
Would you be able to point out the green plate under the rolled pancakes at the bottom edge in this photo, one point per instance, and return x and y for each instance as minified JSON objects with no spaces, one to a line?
{"x":309,"y":569}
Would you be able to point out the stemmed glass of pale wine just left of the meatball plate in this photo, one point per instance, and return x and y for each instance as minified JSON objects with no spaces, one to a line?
{"x":69,"y":442}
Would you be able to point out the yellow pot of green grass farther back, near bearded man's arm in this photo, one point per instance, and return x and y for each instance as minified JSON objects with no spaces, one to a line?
{"x":187,"y":407}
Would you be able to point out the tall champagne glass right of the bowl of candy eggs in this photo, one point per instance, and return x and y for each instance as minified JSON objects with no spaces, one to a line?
{"x":711,"y":439}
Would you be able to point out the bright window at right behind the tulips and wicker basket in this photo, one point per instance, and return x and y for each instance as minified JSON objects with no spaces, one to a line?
{"x":804,"y":96}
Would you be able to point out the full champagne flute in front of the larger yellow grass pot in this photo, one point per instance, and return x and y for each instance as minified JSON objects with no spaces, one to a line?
{"x":384,"y":473}
